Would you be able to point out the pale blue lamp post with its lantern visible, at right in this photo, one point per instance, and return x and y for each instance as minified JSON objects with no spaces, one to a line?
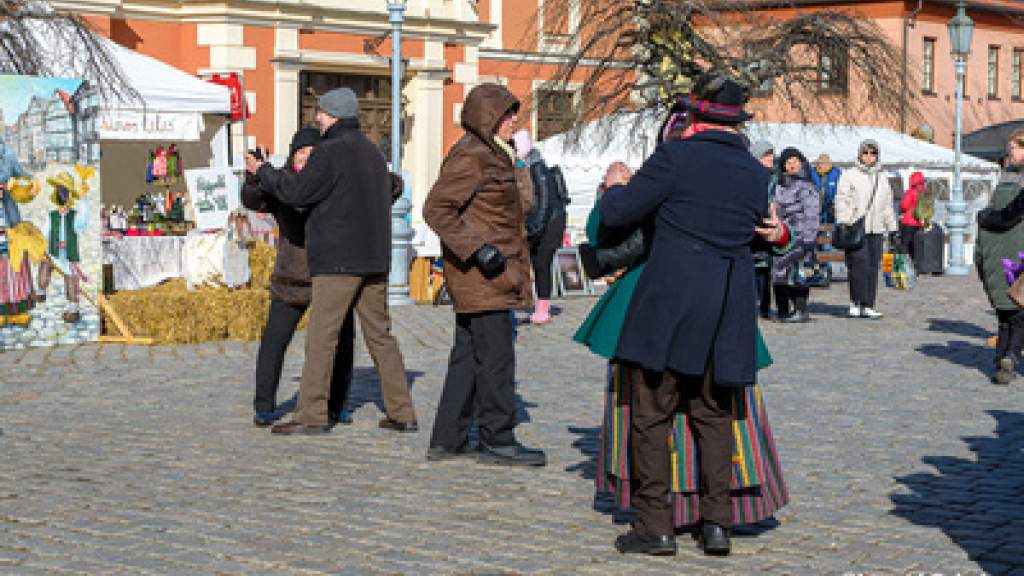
{"x":961,"y":30}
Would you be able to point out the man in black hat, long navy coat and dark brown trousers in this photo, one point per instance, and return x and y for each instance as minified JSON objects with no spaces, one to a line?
{"x":690,"y":333}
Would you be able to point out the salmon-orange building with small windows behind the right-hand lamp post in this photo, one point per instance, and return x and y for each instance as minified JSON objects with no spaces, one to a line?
{"x":995,"y":69}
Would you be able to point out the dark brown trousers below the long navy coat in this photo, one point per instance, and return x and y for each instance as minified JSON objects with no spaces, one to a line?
{"x":657,"y":397}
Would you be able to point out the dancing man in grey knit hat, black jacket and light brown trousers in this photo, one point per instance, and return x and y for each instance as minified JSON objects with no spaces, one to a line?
{"x":347,"y":190}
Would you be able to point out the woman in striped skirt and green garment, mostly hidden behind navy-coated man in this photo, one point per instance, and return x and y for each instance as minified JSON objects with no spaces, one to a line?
{"x":758,"y":487}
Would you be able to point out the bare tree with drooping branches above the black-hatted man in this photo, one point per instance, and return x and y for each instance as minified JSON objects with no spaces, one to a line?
{"x":624,"y":56}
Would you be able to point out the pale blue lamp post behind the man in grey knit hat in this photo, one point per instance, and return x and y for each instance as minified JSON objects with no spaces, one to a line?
{"x":402,"y":233}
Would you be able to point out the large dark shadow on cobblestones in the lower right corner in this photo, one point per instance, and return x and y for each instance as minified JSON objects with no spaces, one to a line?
{"x":978,"y":504}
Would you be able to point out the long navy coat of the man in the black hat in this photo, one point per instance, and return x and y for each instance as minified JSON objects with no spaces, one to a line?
{"x":696,"y":300}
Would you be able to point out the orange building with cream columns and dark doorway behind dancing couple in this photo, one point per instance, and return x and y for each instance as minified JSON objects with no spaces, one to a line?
{"x":288,"y":53}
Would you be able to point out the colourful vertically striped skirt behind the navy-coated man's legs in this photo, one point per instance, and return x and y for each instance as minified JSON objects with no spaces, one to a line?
{"x":758,"y":488}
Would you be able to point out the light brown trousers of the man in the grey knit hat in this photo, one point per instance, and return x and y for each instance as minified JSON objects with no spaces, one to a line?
{"x":332,"y":299}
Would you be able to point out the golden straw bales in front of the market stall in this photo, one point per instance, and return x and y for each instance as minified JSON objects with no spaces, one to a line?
{"x":173,"y":314}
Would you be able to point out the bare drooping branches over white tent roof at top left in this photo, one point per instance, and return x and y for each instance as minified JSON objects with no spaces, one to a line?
{"x":38,"y":40}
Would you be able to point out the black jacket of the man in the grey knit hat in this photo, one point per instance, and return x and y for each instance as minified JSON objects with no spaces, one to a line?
{"x":347,"y":189}
